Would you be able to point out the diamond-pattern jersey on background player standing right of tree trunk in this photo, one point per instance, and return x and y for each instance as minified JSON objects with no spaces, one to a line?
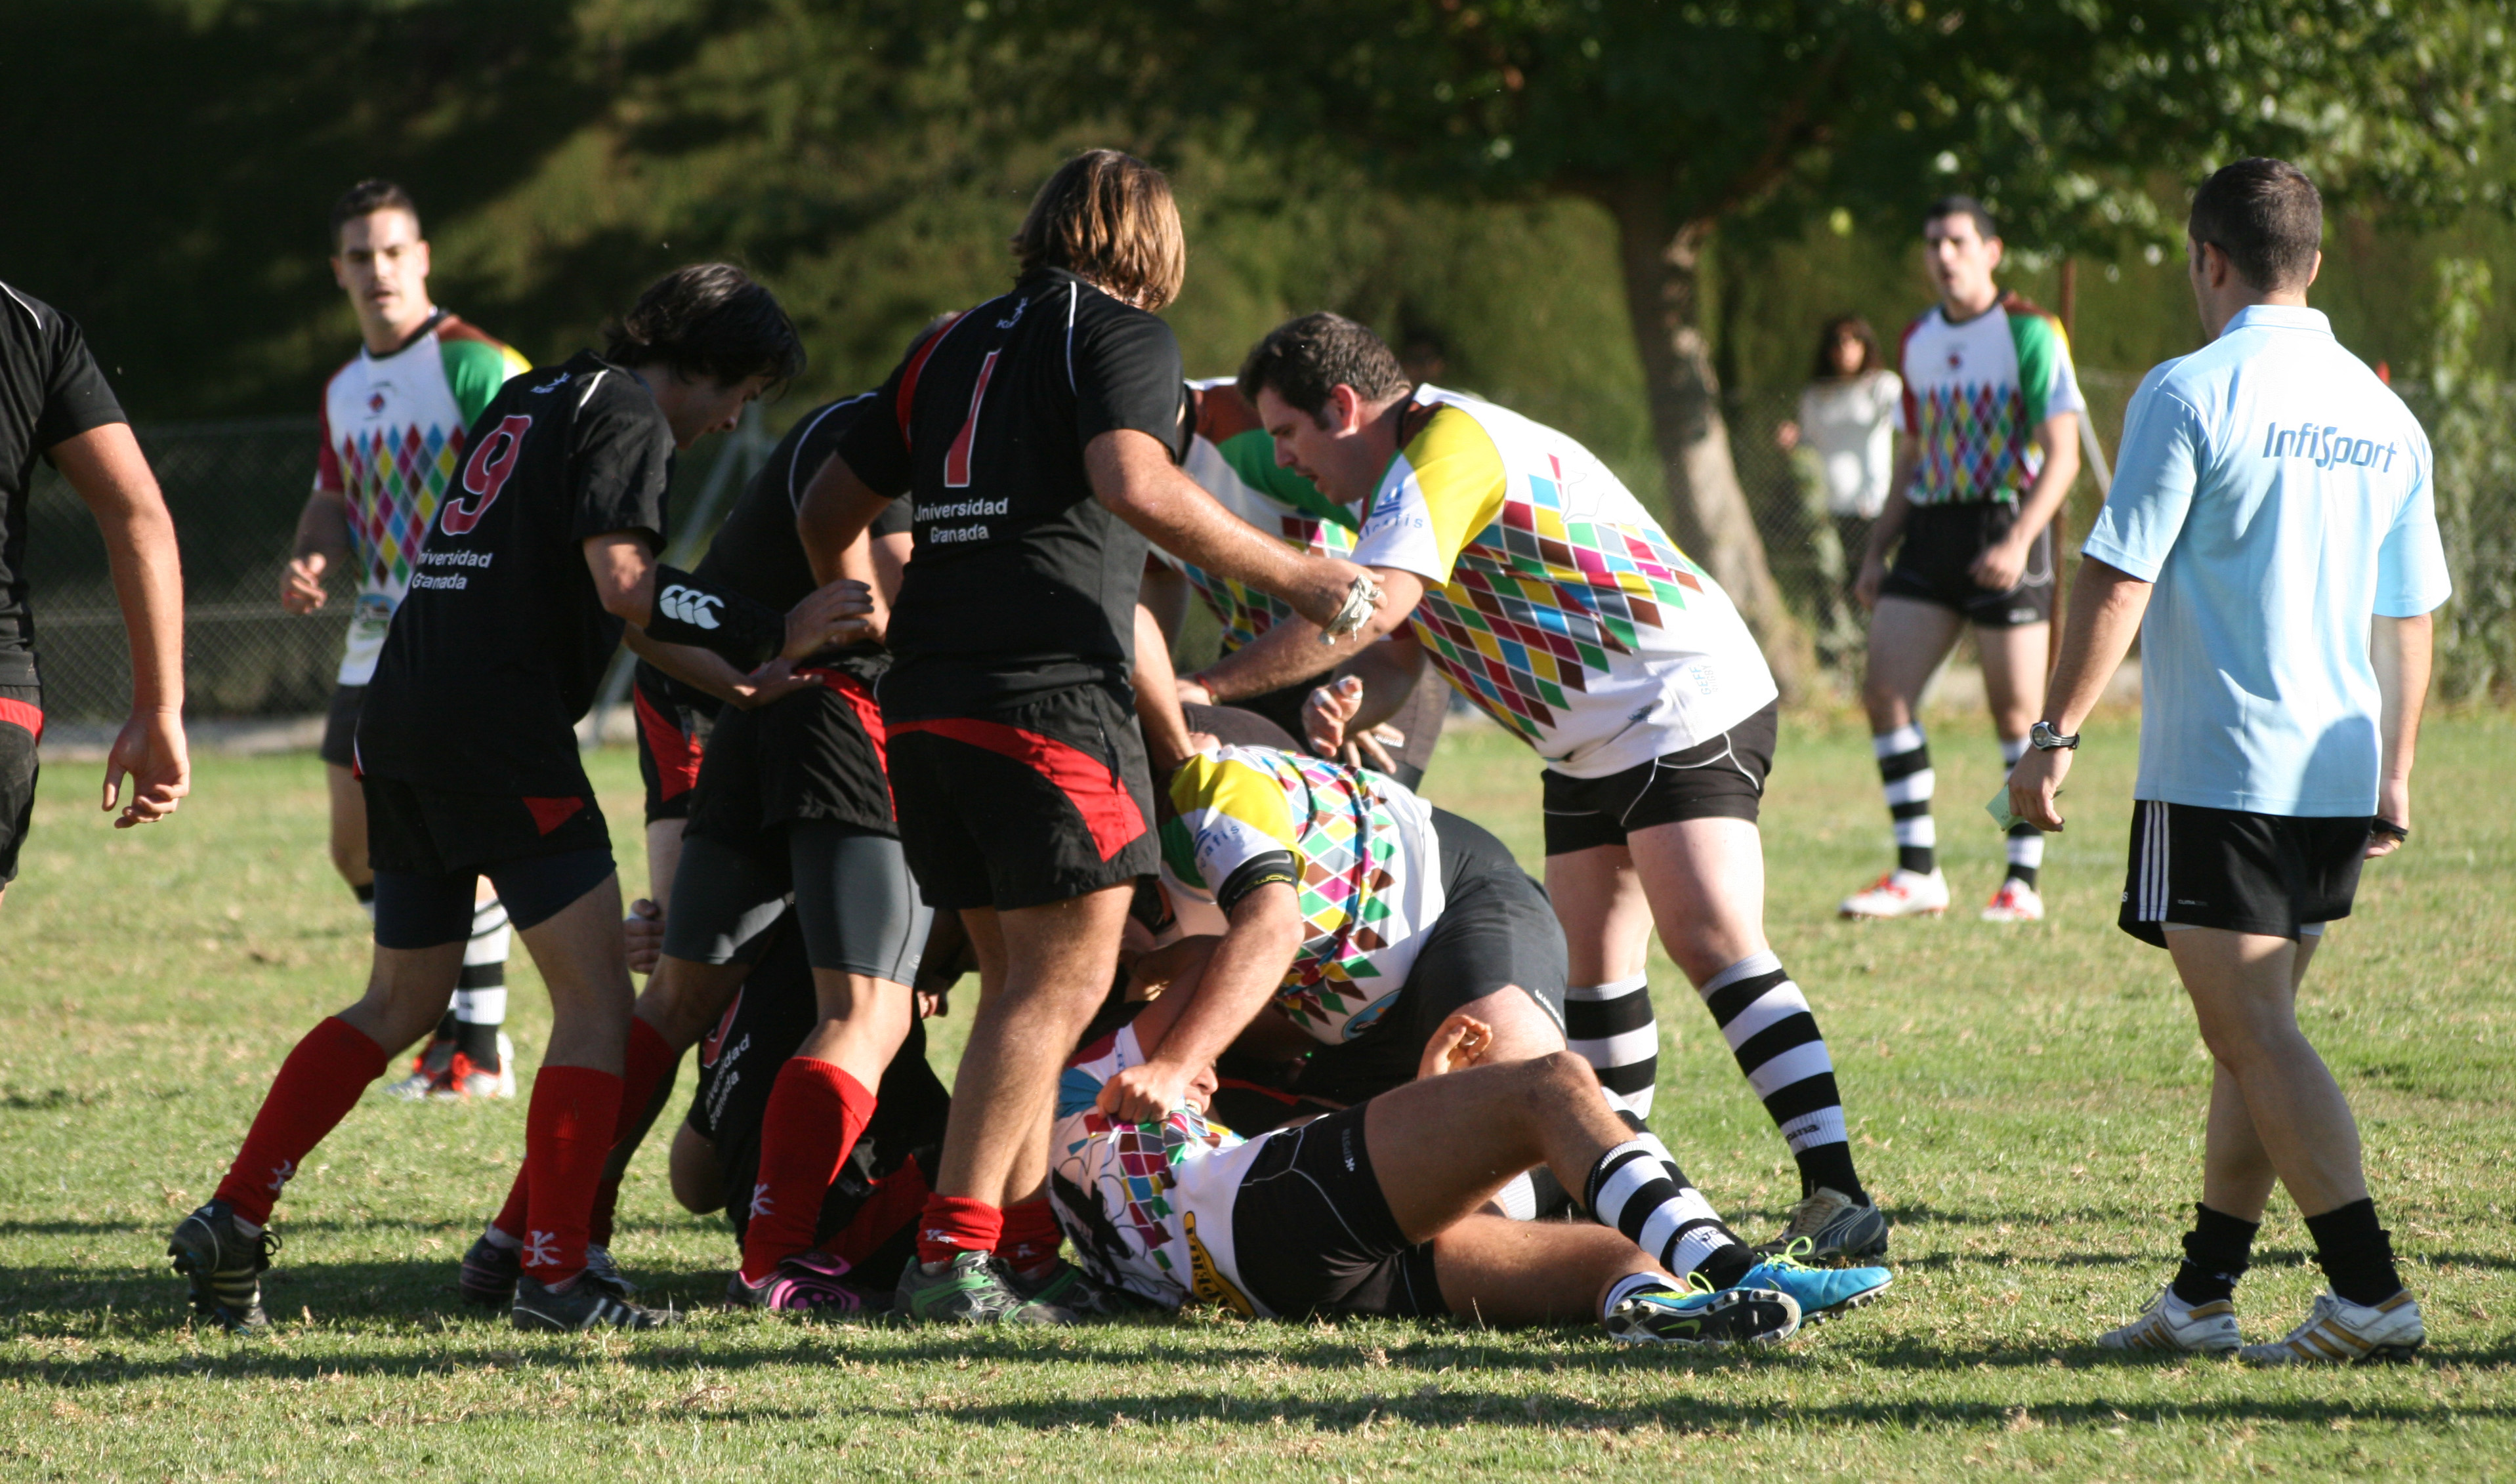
{"x":1974,"y":399}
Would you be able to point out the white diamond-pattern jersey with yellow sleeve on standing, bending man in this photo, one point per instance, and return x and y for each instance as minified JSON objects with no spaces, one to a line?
{"x":1554,"y":600}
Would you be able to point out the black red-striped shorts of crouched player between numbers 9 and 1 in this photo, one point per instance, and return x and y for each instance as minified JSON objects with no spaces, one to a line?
{"x":811,"y":756}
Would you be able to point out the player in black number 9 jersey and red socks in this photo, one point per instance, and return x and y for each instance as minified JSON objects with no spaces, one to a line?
{"x":535,"y":572}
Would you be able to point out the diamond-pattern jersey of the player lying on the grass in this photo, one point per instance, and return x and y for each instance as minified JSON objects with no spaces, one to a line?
{"x":1149,"y":1206}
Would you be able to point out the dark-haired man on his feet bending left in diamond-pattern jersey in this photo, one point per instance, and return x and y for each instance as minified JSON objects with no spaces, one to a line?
{"x":1546,"y":595}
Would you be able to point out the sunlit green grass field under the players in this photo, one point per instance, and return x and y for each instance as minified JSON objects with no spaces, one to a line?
{"x":2027,"y":1105}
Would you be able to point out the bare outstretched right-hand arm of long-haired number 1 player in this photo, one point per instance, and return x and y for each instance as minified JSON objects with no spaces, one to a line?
{"x":1133,"y":477}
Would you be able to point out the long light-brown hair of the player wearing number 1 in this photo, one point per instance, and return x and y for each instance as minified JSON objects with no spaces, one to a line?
{"x":1108,"y":218}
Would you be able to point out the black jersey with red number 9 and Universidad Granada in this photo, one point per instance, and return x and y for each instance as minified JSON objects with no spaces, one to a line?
{"x":502,"y":643}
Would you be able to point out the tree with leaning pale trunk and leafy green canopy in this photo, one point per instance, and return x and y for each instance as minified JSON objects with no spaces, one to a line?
{"x":1682,"y":117}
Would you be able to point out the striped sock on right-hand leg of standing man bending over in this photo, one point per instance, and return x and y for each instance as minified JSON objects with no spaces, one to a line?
{"x":1780,"y":1050}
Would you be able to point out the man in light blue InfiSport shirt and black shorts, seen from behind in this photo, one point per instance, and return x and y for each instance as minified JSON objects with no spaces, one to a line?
{"x":2273,"y":540}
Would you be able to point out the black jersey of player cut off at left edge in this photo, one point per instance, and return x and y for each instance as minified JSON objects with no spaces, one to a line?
{"x":49,"y":394}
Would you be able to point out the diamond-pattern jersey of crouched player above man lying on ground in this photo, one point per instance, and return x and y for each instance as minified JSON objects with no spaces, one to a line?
{"x":1365,"y":859}
